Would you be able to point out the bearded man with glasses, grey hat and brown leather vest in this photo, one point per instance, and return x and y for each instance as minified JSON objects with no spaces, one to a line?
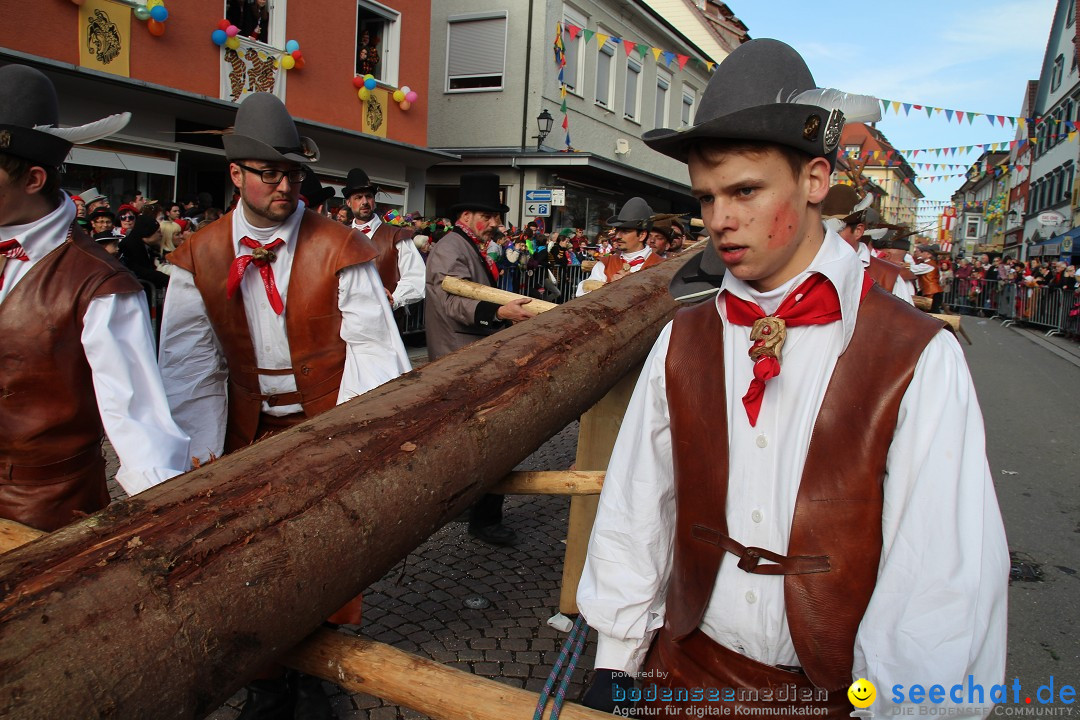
{"x":245,"y":351}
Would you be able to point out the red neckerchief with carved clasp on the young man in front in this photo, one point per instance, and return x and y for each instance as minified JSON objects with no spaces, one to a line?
{"x":814,"y":303}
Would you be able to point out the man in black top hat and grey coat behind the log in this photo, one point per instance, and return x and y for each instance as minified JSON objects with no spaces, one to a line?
{"x":453,"y":322}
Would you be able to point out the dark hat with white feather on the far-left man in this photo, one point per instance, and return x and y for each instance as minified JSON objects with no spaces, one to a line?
{"x":30,"y":114}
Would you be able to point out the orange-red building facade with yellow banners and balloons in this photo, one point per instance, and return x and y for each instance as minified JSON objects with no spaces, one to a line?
{"x":183,"y":88}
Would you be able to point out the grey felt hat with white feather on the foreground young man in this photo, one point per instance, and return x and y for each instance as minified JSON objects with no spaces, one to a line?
{"x":764,"y":92}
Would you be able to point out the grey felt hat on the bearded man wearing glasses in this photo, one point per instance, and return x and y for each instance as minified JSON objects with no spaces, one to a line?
{"x":265,"y":131}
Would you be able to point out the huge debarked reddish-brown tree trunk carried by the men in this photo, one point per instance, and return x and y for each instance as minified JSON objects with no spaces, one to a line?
{"x":164,"y":605}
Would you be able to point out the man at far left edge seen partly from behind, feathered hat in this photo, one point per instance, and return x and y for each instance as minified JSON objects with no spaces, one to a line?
{"x":78,"y":358}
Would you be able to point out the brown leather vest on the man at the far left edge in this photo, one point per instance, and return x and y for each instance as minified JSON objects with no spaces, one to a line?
{"x":51,"y":466}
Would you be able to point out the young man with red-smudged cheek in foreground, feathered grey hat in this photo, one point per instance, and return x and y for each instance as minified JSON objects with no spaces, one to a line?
{"x":745,"y":544}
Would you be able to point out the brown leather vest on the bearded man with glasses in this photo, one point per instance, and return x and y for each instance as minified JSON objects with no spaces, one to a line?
{"x":313,"y":319}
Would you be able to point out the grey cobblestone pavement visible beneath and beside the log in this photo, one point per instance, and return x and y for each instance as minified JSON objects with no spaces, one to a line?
{"x":420,"y":605}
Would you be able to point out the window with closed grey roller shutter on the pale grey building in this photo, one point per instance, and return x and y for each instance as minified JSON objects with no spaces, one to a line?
{"x":476,"y":52}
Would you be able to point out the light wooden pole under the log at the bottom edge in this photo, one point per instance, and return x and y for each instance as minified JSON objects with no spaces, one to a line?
{"x":402,"y":678}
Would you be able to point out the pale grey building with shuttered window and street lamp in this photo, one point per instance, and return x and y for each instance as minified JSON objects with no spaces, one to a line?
{"x":626,"y":69}
